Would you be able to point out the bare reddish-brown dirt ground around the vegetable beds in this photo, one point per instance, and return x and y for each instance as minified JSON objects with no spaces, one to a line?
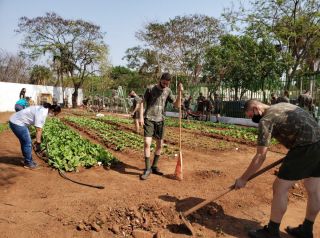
{"x":42,"y":204}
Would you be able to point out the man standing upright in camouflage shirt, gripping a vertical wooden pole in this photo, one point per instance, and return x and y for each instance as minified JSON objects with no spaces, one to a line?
{"x":154,"y":101}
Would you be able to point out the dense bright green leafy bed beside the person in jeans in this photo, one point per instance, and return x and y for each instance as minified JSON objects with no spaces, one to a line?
{"x":67,"y":150}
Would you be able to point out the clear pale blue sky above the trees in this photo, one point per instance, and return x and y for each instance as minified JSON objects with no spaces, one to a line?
{"x":119,"y":19}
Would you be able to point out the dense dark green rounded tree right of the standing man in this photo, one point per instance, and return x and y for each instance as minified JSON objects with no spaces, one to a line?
{"x":241,"y":63}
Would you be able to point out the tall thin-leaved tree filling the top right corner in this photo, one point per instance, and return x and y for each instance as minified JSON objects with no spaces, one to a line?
{"x":293,"y":24}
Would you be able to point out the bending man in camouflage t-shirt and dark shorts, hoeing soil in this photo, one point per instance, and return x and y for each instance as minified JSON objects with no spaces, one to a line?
{"x":299,"y":132}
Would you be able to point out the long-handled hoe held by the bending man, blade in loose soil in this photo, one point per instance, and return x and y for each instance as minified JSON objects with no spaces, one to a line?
{"x":183,"y":215}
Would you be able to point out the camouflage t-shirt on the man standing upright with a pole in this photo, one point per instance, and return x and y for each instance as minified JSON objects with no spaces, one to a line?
{"x":155,"y":100}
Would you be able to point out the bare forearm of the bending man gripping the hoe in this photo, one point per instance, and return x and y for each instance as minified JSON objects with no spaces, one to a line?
{"x":255,"y":164}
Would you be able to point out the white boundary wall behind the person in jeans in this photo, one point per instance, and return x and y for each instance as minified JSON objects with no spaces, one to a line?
{"x":9,"y":94}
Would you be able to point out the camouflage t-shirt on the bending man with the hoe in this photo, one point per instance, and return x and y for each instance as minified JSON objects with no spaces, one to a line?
{"x":289,"y":124}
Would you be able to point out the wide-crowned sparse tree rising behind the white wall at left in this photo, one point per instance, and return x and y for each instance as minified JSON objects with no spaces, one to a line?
{"x":76,"y":46}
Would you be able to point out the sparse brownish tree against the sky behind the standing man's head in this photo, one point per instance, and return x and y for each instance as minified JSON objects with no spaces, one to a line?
{"x":180,"y":44}
